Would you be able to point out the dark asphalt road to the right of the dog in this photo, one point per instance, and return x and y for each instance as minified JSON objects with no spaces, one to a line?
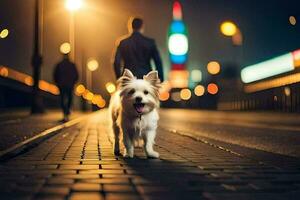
{"x":271,"y":132}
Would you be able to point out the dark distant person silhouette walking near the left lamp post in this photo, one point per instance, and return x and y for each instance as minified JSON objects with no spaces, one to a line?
{"x":66,"y":76}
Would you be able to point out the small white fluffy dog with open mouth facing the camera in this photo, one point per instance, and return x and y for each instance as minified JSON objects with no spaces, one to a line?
{"x":134,"y":112}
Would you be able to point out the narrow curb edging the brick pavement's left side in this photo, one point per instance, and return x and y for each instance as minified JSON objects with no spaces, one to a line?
{"x":35,"y":140}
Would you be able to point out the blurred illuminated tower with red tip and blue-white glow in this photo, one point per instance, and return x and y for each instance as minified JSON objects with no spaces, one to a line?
{"x":178,"y":49}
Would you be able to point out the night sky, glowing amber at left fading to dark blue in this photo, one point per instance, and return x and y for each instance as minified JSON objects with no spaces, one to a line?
{"x":263,"y":23}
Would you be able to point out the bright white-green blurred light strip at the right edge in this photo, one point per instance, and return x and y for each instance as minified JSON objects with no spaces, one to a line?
{"x":272,"y":67}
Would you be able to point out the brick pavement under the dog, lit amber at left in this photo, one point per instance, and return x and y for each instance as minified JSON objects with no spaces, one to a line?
{"x":78,"y":164}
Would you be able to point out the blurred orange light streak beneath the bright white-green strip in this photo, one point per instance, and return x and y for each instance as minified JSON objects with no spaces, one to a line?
{"x":268,"y":84}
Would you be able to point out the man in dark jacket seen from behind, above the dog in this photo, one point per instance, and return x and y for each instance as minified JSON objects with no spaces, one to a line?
{"x":135,"y":52}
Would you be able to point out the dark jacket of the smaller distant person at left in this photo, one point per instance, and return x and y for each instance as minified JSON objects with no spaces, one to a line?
{"x":65,"y":74}
